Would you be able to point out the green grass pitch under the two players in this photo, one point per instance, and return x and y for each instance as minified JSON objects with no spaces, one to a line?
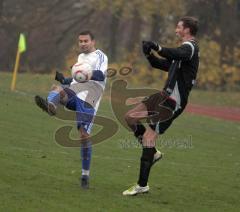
{"x":200,"y":170}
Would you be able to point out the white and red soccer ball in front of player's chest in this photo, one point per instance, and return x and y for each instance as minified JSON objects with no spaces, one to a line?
{"x":82,"y":72}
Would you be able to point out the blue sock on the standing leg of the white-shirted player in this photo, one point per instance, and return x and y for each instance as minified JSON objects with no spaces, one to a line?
{"x":86,"y":154}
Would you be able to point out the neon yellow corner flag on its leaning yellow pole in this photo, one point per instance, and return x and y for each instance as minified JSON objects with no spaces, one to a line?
{"x":21,"y":48}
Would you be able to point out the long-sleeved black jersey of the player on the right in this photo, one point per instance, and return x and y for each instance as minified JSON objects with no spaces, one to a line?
{"x":181,"y":64}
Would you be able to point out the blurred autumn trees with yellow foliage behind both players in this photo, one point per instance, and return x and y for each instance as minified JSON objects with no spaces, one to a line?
{"x":52,"y":27}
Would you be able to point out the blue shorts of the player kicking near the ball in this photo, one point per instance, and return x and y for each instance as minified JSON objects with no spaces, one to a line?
{"x":84,"y":111}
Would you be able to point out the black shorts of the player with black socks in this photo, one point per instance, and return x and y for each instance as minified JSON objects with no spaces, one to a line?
{"x":161,"y":111}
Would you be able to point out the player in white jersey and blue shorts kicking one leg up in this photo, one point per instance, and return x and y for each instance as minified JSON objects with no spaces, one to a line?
{"x":84,"y":98}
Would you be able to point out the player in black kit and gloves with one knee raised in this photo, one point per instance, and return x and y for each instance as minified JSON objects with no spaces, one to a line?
{"x":163,"y":107}
